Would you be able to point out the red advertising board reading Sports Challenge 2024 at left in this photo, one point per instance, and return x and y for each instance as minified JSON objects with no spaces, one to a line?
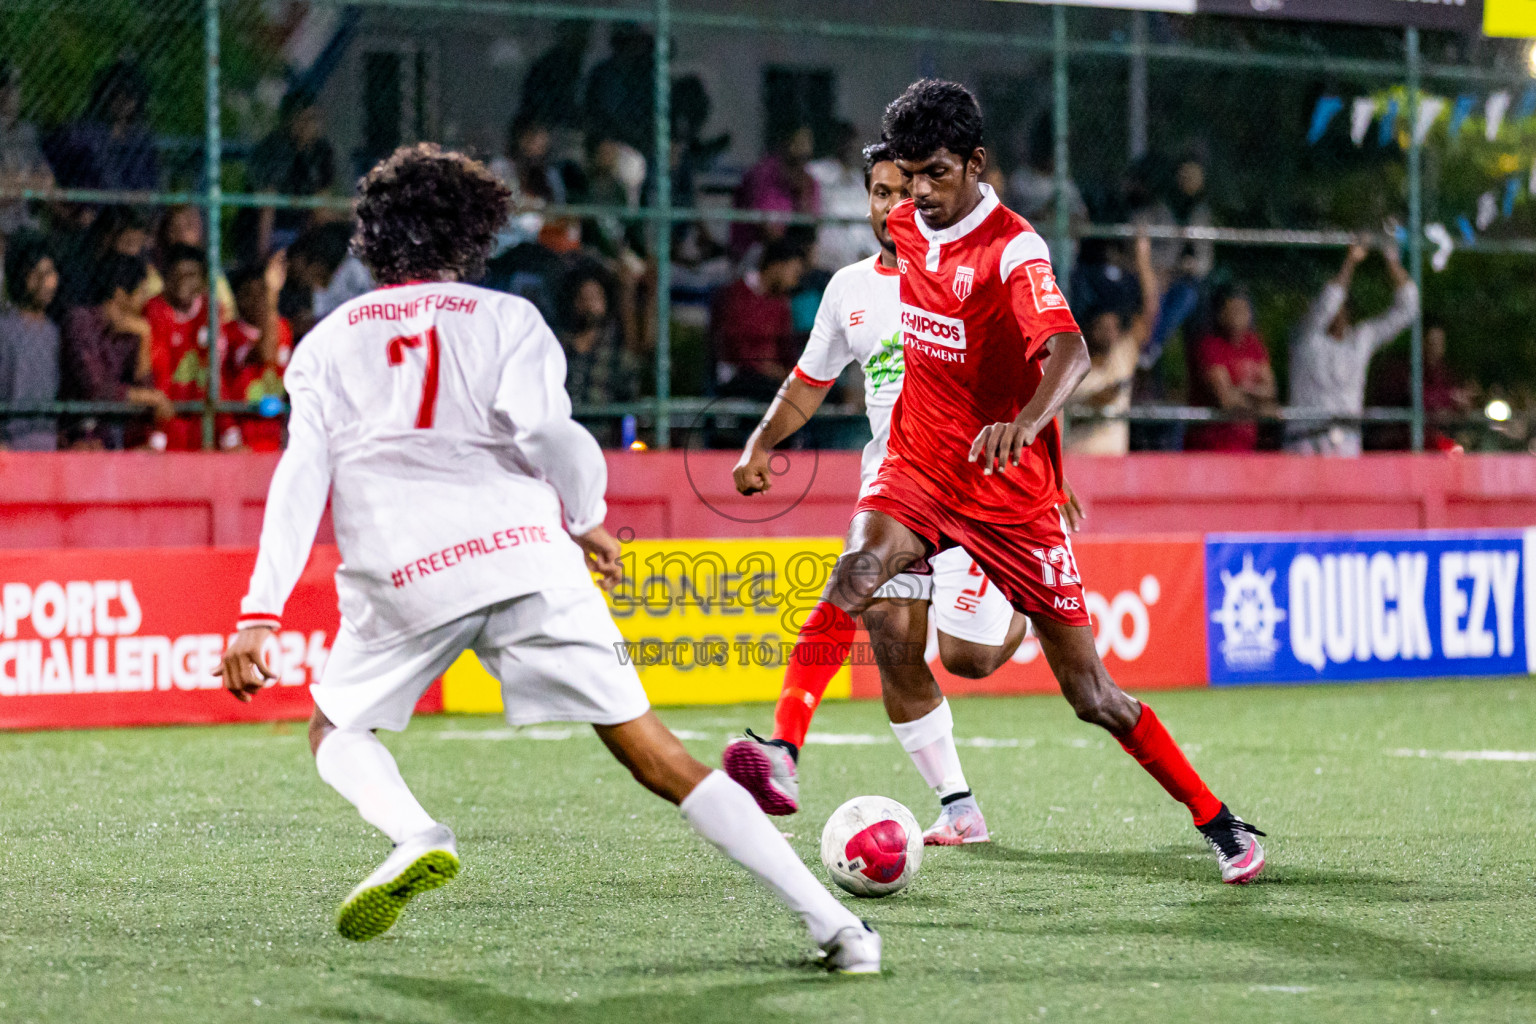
{"x":107,"y":638}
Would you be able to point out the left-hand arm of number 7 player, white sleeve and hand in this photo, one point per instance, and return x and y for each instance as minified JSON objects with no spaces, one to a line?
{"x":296,"y":503}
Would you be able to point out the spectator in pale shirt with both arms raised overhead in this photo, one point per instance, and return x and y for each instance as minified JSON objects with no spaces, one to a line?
{"x":1329,"y":355}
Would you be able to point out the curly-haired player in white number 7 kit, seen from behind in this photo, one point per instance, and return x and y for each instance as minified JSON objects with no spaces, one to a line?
{"x":469,"y":510}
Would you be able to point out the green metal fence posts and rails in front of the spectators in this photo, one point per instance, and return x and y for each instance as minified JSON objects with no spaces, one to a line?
{"x":664,"y":412}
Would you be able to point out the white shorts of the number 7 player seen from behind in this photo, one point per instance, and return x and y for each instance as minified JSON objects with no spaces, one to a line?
{"x":554,"y":653}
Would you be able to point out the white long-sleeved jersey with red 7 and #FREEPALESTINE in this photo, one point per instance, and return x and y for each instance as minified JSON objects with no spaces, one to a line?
{"x":435,"y":418}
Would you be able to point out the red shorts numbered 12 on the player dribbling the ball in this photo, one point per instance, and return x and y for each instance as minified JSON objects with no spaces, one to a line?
{"x":1030,"y":563}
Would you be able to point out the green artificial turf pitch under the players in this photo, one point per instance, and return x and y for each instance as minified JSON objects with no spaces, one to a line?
{"x":194,"y":876}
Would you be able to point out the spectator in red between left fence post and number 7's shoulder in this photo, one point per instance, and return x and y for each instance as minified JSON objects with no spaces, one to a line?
{"x":259,"y":345}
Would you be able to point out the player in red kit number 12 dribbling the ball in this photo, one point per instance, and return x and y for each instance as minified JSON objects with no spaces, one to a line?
{"x":975,"y":458}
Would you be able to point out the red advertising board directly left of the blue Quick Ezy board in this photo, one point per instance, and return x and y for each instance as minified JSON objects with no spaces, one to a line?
{"x":1148,"y":601}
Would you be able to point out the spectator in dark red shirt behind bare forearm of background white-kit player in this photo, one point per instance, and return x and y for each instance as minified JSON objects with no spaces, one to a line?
{"x":752,"y":326}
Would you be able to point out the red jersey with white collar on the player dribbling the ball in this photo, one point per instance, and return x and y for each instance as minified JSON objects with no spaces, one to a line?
{"x":979,"y":302}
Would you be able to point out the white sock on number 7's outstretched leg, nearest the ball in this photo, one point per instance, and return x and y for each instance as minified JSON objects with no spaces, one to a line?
{"x":726,"y":814}
